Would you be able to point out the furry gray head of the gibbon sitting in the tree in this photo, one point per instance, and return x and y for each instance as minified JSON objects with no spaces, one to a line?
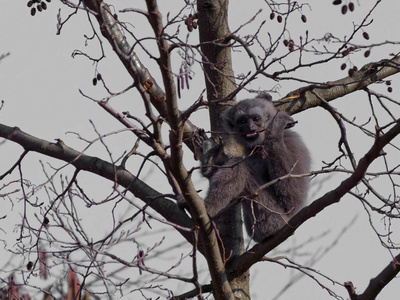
{"x":249,"y":119}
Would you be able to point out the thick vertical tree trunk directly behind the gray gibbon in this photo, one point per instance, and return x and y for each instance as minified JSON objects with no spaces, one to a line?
{"x":217,"y":63}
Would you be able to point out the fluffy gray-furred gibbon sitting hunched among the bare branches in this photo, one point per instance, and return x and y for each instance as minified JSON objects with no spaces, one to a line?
{"x":271,"y":151}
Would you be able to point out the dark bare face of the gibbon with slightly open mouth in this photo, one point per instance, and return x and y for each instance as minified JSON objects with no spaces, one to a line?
{"x":251,"y":128}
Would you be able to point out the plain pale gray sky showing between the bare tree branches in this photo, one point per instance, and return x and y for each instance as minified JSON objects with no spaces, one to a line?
{"x":40,"y":83}
